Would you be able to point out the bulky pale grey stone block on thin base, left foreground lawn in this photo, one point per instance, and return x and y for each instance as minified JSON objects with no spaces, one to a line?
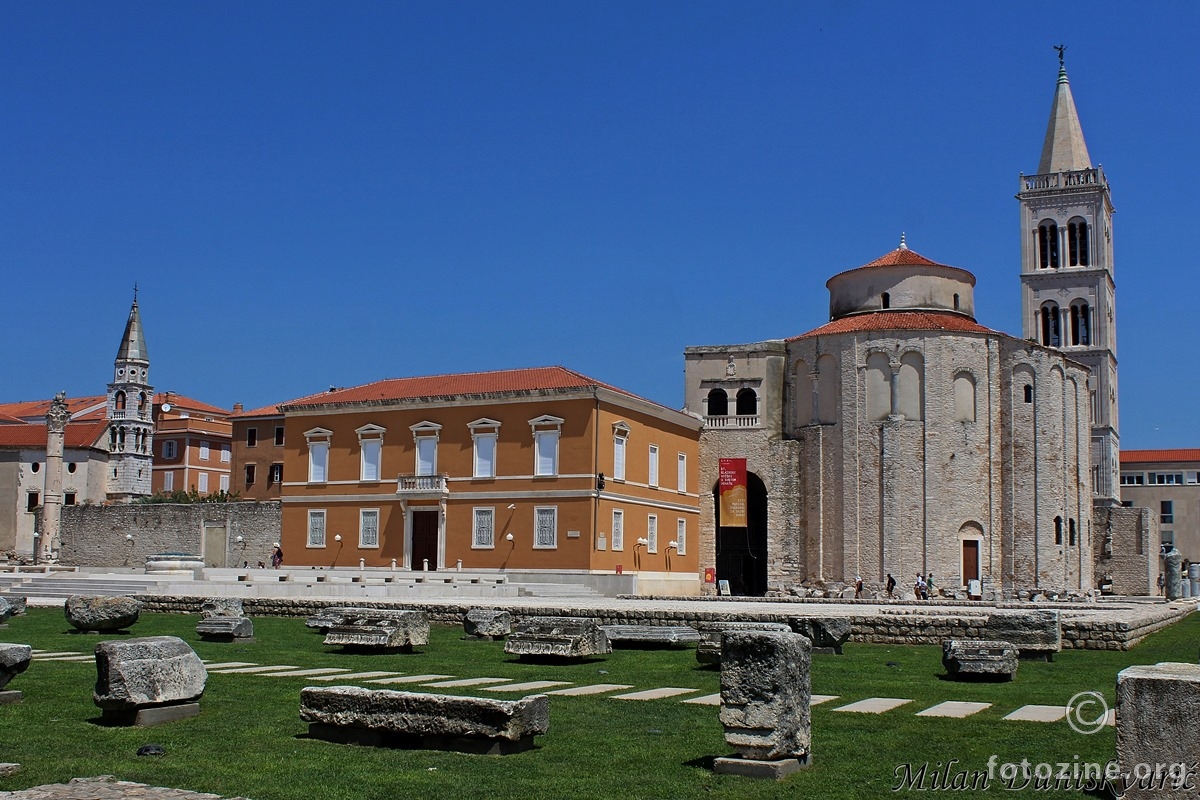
{"x":148,"y":681}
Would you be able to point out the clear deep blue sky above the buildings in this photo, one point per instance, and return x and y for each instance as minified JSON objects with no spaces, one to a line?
{"x":315,"y":194}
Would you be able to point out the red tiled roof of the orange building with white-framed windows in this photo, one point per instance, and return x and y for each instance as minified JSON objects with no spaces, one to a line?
{"x":502,"y":382}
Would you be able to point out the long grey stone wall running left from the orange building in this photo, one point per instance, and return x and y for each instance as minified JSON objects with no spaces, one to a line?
{"x":97,"y":536}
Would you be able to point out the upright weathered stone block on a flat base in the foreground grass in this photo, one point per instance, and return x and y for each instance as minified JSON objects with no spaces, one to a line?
{"x":766,"y":702}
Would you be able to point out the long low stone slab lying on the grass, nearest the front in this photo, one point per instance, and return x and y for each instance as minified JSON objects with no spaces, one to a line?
{"x":386,"y":718}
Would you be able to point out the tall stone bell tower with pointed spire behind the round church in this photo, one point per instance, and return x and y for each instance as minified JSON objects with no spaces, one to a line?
{"x":1067,"y":287}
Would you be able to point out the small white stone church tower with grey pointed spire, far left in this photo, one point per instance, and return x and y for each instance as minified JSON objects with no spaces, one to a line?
{"x":130,"y":416}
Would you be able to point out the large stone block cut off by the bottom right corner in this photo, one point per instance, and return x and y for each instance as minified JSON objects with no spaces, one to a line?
{"x":1157,"y":745}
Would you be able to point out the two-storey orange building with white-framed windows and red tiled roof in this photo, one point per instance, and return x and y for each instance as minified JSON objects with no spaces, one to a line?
{"x":525,"y":470}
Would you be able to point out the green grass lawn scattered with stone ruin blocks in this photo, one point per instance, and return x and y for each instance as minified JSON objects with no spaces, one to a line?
{"x":249,"y":739}
